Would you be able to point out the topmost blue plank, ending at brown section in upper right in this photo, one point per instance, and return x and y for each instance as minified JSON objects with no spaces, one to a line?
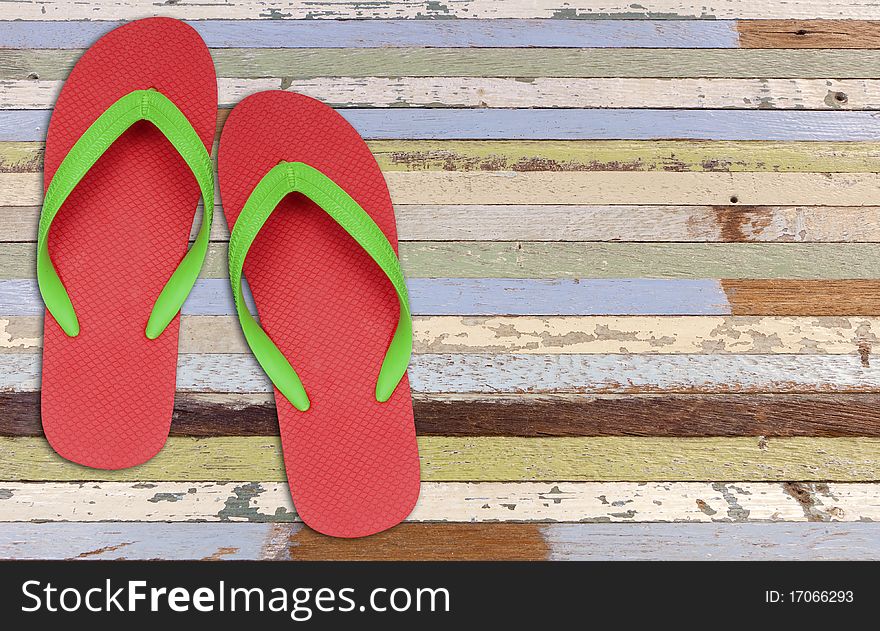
{"x":404,"y":33}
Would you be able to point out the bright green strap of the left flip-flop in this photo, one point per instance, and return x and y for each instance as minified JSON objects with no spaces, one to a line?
{"x":152,"y":106}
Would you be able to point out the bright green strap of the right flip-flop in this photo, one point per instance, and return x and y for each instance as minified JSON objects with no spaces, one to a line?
{"x":296,"y":177}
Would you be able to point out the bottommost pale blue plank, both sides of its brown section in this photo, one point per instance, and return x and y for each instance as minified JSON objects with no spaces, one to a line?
{"x":565,"y":542}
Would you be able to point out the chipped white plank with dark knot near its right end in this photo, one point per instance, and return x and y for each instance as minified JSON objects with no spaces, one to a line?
{"x":499,"y":92}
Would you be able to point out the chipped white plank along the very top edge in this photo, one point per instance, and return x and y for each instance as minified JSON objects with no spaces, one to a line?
{"x":425,"y":9}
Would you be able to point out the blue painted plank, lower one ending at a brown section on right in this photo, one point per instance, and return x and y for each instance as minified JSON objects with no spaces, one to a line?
{"x":475,"y":296}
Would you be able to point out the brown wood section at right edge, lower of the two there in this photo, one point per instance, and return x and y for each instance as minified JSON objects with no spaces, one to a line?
{"x":803,"y":297}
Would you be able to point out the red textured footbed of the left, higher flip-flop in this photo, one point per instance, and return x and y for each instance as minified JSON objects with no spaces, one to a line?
{"x":108,"y":394}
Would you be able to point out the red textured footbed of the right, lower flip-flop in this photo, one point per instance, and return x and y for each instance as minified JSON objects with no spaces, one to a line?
{"x":352,"y":462}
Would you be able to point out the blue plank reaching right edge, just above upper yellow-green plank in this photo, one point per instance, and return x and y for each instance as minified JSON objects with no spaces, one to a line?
{"x":570,"y":124}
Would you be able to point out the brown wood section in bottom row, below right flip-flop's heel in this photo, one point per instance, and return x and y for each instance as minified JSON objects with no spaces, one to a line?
{"x":422,"y":542}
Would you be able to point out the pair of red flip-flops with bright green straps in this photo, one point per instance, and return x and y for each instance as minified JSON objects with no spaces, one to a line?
{"x":312,"y":230}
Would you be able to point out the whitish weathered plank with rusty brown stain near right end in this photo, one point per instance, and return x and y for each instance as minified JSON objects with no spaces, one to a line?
{"x":642,"y":223}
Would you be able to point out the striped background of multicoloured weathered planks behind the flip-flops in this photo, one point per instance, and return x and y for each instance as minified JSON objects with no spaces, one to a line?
{"x":643,"y":245}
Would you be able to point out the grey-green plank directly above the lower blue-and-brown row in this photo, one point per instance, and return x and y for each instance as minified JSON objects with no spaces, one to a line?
{"x":517,"y":259}
